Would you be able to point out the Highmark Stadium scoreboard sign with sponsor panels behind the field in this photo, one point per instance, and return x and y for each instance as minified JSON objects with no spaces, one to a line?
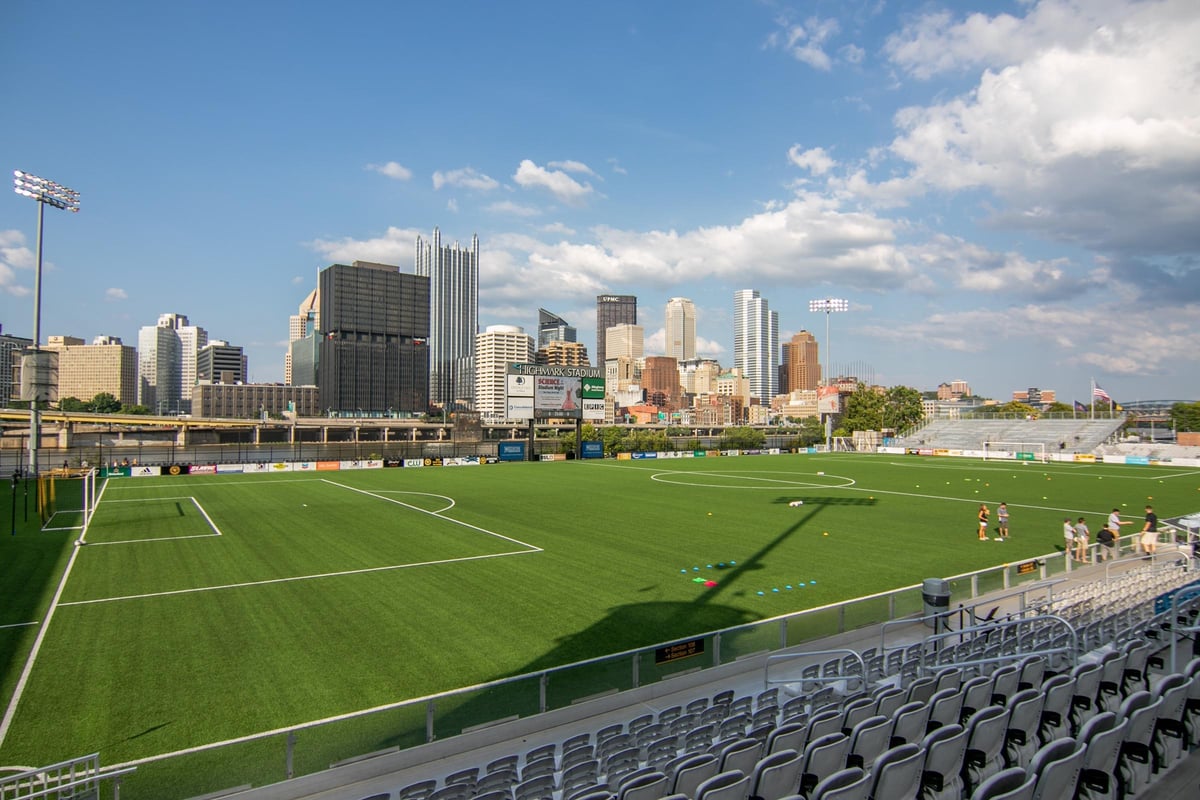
{"x":543,"y":393}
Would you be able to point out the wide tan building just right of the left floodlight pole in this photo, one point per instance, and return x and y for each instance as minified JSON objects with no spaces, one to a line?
{"x":106,"y":366}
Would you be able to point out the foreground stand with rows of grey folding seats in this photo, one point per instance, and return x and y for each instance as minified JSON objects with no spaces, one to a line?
{"x":1013,"y":708}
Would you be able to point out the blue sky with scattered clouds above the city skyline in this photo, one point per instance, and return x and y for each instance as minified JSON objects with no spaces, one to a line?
{"x":1006,"y":193}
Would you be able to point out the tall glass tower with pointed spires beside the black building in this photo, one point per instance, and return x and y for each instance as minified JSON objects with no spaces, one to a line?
{"x":453,"y":273}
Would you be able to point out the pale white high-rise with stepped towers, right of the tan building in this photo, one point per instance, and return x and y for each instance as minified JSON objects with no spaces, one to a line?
{"x":167,"y":364}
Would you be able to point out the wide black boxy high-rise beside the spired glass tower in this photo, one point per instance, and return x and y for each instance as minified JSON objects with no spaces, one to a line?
{"x":370,"y":352}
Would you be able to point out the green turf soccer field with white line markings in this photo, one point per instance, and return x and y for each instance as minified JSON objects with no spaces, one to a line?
{"x":207,"y":609}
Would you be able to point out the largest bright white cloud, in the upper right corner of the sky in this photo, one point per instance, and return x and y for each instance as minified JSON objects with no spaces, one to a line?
{"x":1090,"y":135}
